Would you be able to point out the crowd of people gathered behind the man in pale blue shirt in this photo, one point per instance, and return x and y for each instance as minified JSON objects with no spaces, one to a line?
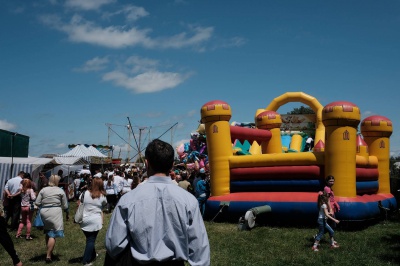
{"x":100,"y":191}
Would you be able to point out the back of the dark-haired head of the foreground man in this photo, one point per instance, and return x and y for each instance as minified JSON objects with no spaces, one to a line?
{"x":160,"y":156}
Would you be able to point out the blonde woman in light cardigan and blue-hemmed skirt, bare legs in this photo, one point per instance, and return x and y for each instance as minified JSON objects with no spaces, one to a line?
{"x":52,"y":201}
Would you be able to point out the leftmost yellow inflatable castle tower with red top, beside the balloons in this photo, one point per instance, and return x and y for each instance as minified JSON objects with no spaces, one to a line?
{"x":216,"y":115}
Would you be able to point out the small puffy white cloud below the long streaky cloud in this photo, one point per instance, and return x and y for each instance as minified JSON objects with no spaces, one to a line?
{"x":152,"y":81}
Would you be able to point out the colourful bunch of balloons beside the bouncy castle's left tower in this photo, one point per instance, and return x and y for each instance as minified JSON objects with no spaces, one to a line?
{"x":194,"y":153}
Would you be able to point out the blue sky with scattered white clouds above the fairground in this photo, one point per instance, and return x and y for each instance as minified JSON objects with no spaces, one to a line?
{"x":68,"y":68}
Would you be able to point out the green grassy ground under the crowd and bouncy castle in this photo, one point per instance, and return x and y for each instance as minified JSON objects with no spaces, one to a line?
{"x":375,"y":244}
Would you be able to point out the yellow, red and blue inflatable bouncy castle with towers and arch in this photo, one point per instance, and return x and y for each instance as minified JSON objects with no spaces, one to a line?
{"x":289,"y":181}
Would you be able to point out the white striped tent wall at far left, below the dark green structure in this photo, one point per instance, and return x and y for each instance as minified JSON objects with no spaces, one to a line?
{"x":32,"y":165}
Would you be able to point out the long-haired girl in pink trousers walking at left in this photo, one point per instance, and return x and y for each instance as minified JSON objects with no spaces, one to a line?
{"x":27,"y":196}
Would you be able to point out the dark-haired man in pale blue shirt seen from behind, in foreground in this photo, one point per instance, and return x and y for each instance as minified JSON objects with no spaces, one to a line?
{"x":158,"y":222}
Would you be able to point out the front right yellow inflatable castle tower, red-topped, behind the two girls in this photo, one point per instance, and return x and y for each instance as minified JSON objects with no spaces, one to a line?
{"x":341,"y":120}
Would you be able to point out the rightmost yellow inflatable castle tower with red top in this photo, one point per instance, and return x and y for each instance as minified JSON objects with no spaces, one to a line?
{"x":376,"y":131}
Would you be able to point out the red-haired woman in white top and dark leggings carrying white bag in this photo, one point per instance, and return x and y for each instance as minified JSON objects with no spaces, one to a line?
{"x":94,"y":201}
